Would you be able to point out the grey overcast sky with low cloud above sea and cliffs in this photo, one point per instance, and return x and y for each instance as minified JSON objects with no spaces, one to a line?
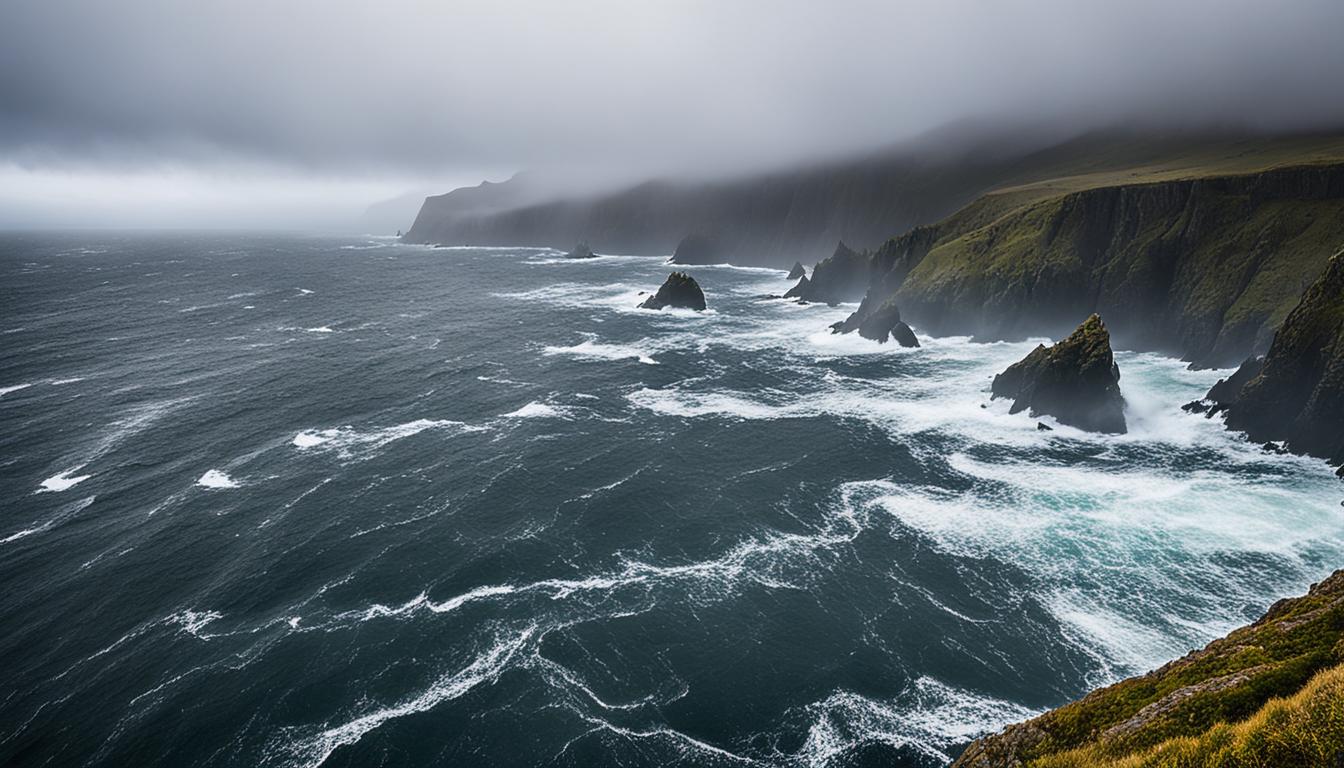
{"x":296,"y":112}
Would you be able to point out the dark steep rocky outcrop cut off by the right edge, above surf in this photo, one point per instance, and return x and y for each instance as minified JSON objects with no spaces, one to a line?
{"x":1298,"y":396}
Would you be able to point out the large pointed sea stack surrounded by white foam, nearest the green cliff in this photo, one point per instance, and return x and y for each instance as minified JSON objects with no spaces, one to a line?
{"x":1077,"y":381}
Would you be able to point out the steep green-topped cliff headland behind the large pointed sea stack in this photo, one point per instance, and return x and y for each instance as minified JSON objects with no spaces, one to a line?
{"x":1202,"y":268}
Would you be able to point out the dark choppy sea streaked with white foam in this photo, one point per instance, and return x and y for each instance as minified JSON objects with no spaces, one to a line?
{"x":284,"y":501}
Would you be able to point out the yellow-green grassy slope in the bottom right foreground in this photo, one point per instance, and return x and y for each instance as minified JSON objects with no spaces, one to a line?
{"x":1212,"y":708}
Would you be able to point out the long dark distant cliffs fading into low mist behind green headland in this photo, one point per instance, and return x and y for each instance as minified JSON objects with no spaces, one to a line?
{"x":780,"y":217}
